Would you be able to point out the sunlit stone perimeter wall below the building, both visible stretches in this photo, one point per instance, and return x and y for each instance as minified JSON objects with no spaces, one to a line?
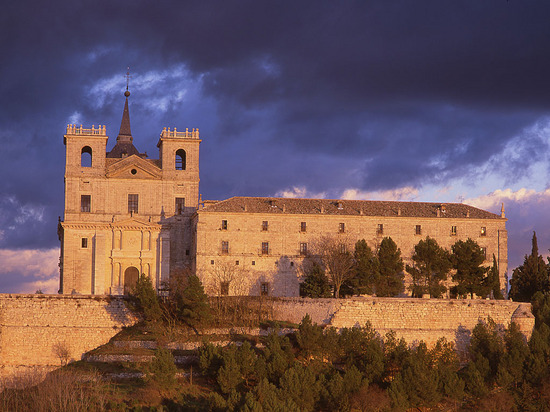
{"x":32,"y":325}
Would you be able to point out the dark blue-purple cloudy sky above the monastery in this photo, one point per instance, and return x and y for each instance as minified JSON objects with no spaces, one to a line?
{"x":411,"y":100}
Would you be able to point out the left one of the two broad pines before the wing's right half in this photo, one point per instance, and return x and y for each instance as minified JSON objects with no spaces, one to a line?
{"x":431,"y":267}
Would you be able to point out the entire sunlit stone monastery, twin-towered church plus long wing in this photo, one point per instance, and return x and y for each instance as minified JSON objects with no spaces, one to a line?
{"x":126,"y":214}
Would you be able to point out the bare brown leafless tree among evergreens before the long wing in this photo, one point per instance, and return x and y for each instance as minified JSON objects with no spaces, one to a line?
{"x":334,"y":256}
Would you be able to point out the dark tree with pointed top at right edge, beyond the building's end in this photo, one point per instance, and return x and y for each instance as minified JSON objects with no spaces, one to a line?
{"x":530,"y":277}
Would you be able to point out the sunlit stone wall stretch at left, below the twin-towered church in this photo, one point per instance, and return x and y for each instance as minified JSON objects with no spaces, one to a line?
{"x":31,"y":326}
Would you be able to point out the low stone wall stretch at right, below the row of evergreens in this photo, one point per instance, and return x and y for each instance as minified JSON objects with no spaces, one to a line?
{"x":411,"y":319}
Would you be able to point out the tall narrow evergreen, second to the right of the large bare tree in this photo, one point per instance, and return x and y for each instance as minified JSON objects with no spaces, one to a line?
{"x":390,"y":281}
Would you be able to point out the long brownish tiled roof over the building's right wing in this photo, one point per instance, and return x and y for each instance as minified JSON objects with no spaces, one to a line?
{"x":346,"y":207}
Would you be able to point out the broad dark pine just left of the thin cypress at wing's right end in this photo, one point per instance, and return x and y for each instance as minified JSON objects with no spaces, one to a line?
{"x":470,"y":275}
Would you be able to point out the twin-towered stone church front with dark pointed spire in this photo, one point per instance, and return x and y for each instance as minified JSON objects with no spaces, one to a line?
{"x":126,"y":214}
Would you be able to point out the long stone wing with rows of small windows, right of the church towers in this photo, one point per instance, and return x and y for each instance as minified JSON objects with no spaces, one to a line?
{"x":248,"y":245}
